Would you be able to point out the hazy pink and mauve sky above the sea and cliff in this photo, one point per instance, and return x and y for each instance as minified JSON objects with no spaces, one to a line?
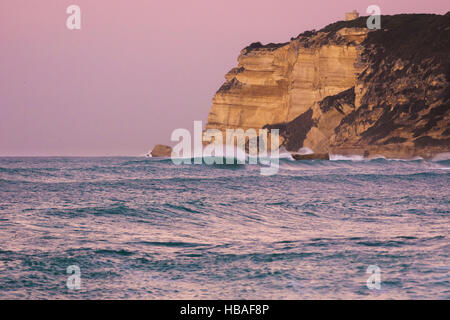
{"x":136,"y":70}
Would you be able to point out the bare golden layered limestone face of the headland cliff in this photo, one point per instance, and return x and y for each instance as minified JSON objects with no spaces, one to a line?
{"x":276,"y":83}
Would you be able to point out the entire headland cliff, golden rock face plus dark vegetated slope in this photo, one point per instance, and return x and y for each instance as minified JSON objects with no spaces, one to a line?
{"x":347,"y":90}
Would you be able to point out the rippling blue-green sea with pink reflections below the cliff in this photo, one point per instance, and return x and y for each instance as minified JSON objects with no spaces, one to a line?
{"x":142,"y":228}
